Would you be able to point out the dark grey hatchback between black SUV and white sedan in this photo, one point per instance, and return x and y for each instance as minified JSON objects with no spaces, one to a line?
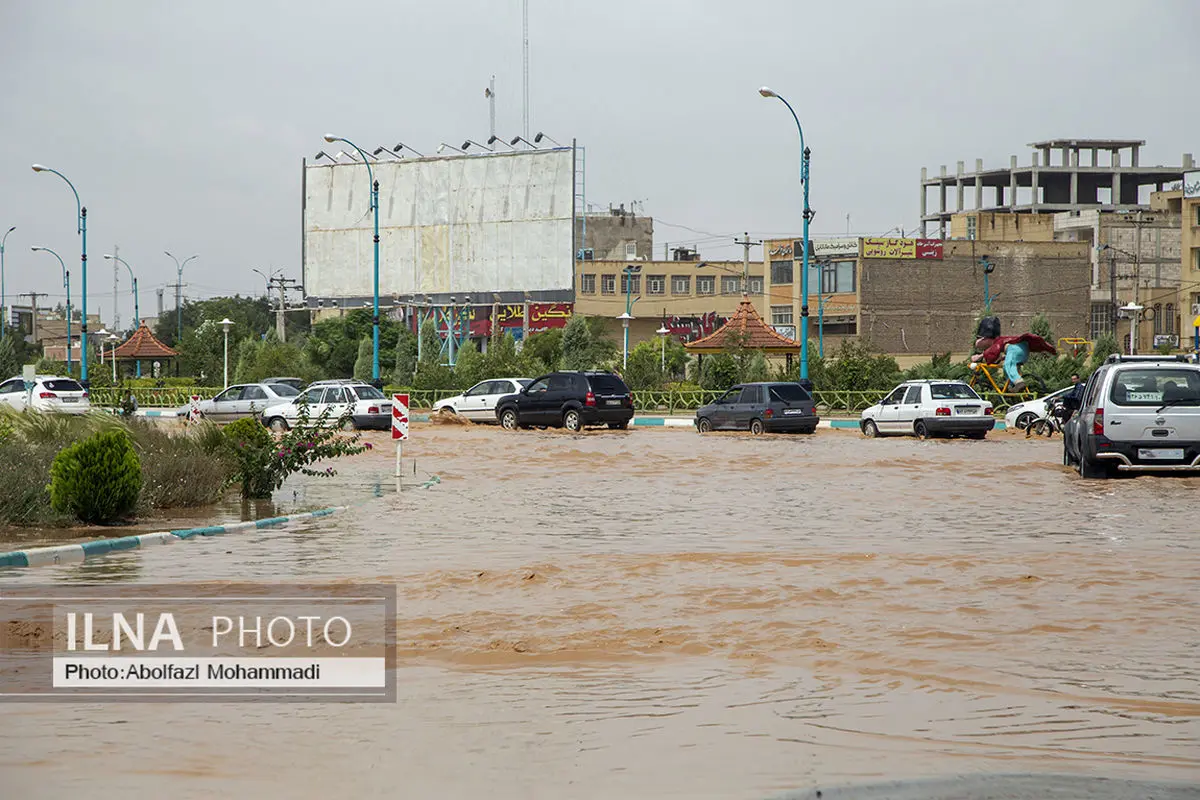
{"x":760,"y":408}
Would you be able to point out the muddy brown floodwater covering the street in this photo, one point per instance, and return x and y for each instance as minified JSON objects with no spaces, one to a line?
{"x":659,"y":615}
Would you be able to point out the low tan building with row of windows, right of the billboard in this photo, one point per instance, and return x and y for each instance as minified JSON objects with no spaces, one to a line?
{"x":692,"y":299}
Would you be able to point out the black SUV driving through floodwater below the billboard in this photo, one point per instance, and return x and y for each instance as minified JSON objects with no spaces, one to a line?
{"x":569,"y":400}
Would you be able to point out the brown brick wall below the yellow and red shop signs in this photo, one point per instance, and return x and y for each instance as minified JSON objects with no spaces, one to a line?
{"x":931,"y":306}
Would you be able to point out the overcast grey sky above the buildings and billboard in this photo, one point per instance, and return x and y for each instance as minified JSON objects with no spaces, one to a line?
{"x":183,"y":124}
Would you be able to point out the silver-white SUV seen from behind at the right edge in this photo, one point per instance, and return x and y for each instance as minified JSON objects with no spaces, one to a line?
{"x":1139,"y":414}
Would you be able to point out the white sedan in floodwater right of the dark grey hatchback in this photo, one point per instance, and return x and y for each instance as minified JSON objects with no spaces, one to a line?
{"x":931,"y":408}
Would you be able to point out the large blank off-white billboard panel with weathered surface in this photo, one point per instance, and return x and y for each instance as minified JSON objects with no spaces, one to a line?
{"x":500,"y":222}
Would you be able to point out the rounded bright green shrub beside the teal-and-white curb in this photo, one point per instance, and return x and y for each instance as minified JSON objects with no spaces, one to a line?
{"x":98,"y":480}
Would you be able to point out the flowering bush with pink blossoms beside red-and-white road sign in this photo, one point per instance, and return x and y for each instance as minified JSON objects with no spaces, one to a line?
{"x":266,"y":462}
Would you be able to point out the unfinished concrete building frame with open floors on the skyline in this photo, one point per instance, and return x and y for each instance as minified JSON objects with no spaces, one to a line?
{"x":1090,"y":175}
